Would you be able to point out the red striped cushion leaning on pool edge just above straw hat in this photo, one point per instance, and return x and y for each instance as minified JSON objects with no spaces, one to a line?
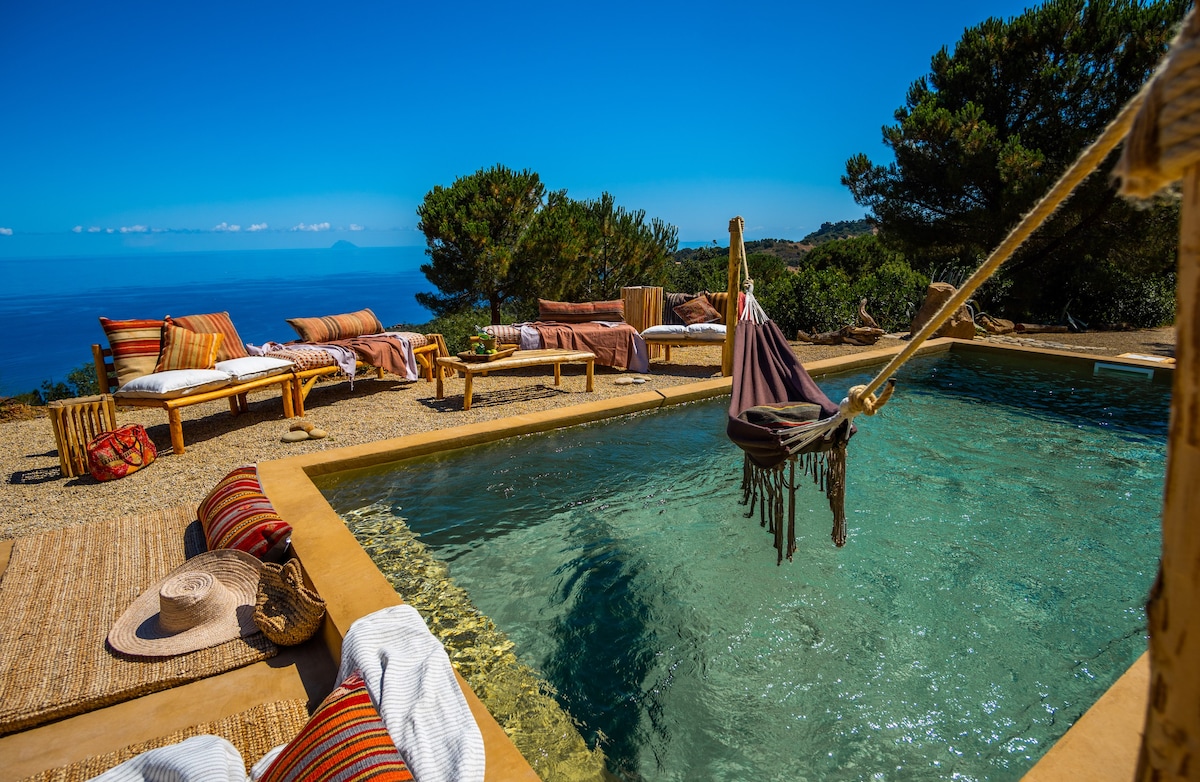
{"x":238,"y":515}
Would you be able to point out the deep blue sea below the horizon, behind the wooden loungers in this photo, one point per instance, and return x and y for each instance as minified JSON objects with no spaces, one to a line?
{"x":53,"y":305}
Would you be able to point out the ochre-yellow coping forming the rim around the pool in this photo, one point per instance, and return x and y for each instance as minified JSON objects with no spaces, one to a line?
{"x":353,"y":587}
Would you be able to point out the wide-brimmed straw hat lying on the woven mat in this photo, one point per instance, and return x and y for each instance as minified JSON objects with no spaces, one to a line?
{"x":206,"y":601}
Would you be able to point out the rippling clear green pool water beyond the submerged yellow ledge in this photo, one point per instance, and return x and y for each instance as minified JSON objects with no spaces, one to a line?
{"x":1004,"y":533}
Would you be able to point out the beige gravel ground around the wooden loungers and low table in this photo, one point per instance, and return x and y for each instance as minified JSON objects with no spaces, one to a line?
{"x":37,"y":497}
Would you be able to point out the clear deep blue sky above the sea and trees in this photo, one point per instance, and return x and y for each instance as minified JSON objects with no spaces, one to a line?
{"x":253,"y":125}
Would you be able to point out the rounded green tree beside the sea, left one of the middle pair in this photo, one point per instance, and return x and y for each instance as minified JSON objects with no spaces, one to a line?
{"x":477,"y":232}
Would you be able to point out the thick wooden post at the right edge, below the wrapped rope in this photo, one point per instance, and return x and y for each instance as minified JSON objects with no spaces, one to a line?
{"x":1171,"y":748}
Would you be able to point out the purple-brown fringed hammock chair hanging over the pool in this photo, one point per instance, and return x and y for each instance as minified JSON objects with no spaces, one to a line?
{"x":779,"y":417}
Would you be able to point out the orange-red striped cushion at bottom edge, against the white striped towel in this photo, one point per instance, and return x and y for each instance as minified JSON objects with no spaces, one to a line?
{"x":345,"y":741}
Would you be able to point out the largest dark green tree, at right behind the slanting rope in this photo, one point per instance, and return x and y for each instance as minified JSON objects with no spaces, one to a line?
{"x":986,"y":134}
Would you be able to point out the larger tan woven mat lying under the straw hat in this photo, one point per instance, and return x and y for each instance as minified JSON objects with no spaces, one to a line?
{"x":61,"y":595}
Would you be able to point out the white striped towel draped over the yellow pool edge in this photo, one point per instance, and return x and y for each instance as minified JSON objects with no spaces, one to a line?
{"x":411,"y":682}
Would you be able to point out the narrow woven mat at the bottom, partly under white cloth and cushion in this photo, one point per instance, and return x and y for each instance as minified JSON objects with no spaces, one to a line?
{"x":254,"y":732}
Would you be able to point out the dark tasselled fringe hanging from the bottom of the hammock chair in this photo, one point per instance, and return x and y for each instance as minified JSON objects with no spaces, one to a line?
{"x":767,"y":486}
